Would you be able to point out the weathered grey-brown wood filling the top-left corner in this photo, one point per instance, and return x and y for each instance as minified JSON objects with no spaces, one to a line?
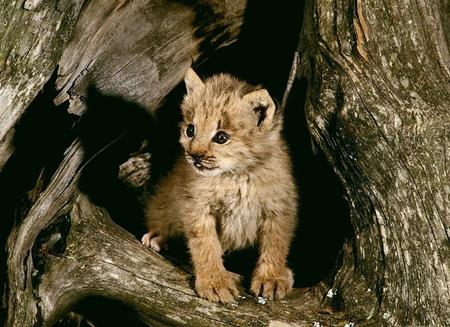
{"x":31,"y":43}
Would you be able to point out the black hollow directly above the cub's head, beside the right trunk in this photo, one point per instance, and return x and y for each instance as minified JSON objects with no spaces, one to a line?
{"x":264,"y":51}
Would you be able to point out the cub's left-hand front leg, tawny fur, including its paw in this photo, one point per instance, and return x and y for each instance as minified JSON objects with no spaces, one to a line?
{"x":212,"y":281}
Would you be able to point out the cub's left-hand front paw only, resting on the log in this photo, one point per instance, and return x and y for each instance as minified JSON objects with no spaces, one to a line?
{"x":217,"y":287}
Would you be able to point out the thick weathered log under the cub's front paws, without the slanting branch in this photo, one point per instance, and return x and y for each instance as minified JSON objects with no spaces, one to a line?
{"x":102,"y":259}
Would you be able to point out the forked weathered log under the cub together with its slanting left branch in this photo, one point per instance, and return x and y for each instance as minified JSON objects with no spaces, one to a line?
{"x":67,"y":249}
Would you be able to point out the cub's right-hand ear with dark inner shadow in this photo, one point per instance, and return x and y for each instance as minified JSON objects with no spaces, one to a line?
{"x":262,"y":105}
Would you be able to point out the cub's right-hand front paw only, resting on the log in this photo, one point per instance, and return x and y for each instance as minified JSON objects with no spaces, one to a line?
{"x":272,"y":282}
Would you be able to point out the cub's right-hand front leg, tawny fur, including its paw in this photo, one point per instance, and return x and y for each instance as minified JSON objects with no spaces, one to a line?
{"x":272,"y":279}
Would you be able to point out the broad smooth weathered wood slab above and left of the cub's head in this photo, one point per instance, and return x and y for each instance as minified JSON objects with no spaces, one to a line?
{"x":143,"y":61}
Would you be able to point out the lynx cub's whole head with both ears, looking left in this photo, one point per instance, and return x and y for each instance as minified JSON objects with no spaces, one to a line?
{"x":224,"y":129}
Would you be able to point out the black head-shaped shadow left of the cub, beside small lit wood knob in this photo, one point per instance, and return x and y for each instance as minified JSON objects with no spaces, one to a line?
{"x":110,"y":130}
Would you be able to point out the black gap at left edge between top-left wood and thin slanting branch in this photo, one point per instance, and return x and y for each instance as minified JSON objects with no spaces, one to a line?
{"x":41,"y":136}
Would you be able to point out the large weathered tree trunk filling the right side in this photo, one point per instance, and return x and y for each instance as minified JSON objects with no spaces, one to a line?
{"x":378,"y":105}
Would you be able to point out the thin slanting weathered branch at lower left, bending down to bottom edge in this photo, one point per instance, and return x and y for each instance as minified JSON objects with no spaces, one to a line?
{"x":23,"y":309}
